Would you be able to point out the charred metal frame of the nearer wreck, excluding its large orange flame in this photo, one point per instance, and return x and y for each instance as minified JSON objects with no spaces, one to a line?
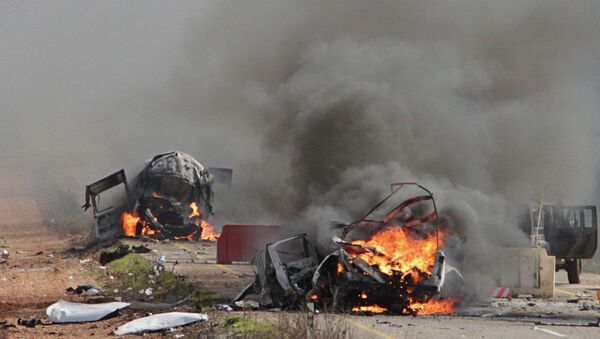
{"x":342,"y":280}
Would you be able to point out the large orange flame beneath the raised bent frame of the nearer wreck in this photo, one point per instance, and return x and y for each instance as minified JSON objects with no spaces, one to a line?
{"x":402,"y":251}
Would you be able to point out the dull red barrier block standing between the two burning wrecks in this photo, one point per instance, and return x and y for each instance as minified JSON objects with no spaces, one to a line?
{"x":240,"y":242}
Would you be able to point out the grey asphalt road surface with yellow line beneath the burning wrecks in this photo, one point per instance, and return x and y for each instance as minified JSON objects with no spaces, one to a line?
{"x":499,"y":319}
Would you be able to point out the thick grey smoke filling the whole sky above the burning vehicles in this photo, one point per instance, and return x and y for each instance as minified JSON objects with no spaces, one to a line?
{"x":318,"y":106}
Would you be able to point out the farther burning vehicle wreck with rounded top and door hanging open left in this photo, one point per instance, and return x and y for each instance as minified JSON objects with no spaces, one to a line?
{"x":171,"y":198}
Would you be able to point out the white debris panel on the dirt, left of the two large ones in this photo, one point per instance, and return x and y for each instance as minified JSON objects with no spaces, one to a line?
{"x":70,"y":312}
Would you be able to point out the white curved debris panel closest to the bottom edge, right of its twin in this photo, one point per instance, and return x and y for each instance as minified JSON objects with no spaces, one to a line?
{"x":159,"y":322}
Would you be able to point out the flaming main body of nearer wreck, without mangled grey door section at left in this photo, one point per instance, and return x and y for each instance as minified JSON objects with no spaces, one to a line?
{"x":388,"y":261}
